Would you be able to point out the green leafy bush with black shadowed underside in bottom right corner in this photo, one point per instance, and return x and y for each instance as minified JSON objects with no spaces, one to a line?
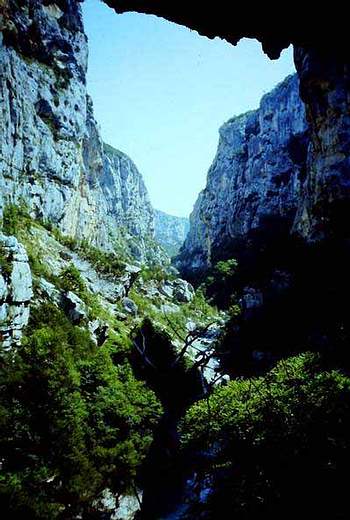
{"x":277,"y":443}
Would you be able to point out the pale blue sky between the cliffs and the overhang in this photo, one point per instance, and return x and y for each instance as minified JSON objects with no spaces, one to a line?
{"x":161,"y":92}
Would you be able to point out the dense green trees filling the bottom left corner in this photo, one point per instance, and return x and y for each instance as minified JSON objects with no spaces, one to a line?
{"x":72,"y":421}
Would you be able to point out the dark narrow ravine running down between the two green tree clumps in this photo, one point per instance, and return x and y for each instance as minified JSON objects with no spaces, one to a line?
{"x":178,"y":386}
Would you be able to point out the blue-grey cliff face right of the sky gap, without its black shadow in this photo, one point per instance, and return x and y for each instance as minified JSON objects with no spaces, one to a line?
{"x":256,"y":178}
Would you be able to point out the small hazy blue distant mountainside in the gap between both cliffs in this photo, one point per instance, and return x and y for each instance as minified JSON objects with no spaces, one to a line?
{"x":170,"y":231}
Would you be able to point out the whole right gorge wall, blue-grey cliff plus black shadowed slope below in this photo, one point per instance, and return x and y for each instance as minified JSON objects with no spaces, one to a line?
{"x":277,"y":199}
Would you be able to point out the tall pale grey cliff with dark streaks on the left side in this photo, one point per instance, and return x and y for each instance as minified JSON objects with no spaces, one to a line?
{"x":51,"y":153}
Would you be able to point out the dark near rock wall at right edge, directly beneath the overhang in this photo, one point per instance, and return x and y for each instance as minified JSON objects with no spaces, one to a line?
{"x":325,"y":88}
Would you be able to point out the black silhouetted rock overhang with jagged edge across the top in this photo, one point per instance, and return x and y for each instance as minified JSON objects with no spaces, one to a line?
{"x":275,"y":26}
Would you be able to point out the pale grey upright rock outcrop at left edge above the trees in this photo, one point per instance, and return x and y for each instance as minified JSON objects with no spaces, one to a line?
{"x":15,"y":291}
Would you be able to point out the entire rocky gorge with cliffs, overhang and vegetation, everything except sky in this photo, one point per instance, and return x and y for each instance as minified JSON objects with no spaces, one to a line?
{"x":134,"y":385}
